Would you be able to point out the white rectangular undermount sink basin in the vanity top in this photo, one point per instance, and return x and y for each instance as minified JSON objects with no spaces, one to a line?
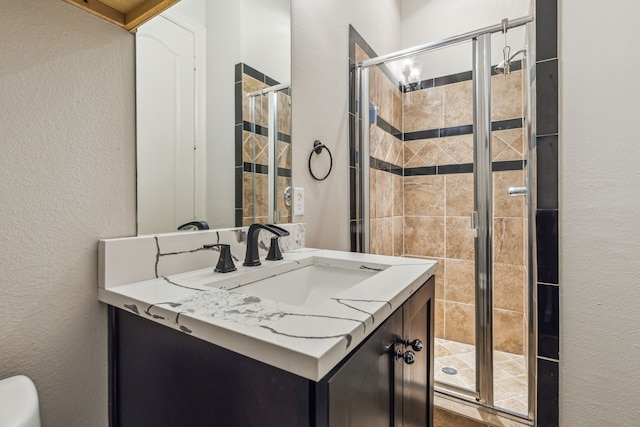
{"x":309,"y":282}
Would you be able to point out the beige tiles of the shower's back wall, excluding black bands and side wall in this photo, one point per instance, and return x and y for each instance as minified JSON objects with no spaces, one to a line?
{"x":438,"y":208}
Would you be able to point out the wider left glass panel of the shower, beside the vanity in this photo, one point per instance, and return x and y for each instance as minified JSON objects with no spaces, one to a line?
{"x":420,"y":183}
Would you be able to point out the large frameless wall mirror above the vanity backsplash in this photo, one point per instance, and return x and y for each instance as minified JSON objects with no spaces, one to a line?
{"x":214,"y":114}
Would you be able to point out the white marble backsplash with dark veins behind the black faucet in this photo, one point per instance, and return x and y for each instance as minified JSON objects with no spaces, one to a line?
{"x":133,"y":259}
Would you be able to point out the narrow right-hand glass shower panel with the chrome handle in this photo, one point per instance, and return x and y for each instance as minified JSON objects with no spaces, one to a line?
{"x":509,"y":148}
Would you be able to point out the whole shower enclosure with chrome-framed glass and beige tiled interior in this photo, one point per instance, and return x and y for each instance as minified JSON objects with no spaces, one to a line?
{"x":441,"y":171}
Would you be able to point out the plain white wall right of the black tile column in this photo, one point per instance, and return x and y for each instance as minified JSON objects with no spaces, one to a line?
{"x":599,"y":206}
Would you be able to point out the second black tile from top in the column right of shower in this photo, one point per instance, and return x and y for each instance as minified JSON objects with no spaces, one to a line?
{"x":547,"y":97}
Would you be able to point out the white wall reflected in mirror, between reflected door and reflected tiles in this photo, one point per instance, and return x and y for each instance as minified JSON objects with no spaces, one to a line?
{"x":249,"y":31}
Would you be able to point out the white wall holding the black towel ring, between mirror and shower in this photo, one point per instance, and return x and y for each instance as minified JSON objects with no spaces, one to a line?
{"x":320,"y":84}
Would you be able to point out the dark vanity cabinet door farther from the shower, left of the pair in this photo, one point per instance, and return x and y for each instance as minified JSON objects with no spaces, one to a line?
{"x":366,"y":390}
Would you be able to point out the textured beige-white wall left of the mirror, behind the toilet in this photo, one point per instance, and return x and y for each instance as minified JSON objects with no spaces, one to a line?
{"x":67,"y":179}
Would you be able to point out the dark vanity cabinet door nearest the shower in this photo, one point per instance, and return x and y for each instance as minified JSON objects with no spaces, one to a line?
{"x":418,"y":377}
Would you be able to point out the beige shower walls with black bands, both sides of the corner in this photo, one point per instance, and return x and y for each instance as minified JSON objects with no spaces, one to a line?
{"x":421,"y":193}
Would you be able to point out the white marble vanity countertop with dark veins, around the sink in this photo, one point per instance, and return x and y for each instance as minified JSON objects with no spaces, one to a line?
{"x":305,"y":340}
